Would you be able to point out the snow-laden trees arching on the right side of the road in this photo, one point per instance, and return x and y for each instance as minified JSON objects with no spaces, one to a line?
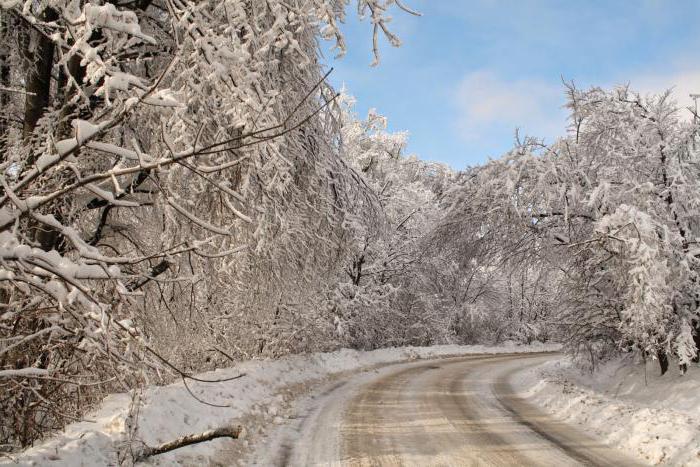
{"x":602,"y":226}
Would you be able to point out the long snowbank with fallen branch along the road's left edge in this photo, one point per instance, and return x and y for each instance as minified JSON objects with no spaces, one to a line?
{"x":169,"y":412}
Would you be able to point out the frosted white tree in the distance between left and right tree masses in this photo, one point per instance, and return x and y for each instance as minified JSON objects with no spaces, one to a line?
{"x":382,"y":301}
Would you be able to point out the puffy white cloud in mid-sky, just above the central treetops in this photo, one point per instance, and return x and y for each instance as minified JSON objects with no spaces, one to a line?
{"x":489,"y":106}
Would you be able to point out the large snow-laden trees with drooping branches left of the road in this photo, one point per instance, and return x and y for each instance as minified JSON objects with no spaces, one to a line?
{"x":167,"y":167}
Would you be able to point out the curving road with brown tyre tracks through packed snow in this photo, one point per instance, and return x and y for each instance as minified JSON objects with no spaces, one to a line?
{"x":448,"y":412}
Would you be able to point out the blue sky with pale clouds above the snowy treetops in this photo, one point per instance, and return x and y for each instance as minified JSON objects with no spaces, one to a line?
{"x":470,"y":71}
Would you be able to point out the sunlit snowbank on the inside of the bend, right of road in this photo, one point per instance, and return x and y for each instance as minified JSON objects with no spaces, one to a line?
{"x":656,"y":418}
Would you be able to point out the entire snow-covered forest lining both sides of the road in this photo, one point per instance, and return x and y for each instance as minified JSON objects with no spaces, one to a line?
{"x":182,"y":189}
